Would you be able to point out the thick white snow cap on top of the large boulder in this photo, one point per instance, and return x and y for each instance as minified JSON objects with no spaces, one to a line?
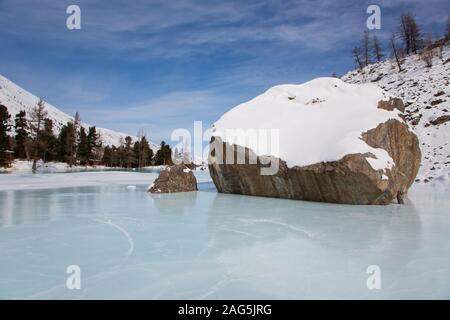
{"x":320,"y":120}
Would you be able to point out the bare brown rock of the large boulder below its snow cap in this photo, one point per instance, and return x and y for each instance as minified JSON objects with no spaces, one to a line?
{"x":352,"y":179}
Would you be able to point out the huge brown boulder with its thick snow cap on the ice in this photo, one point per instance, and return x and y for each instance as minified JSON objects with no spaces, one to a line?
{"x":328,"y":141}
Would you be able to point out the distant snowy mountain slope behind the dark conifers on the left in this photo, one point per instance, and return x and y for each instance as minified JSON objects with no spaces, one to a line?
{"x":16,"y":99}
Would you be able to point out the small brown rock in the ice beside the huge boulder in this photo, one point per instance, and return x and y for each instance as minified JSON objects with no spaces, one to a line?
{"x":176,"y":178}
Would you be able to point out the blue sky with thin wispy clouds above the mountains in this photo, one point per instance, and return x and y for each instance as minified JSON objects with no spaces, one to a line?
{"x":160,"y":65}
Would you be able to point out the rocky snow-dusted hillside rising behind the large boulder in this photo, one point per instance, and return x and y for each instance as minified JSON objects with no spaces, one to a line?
{"x":426,"y":94}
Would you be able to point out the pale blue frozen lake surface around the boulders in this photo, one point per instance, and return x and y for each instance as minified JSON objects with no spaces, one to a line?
{"x":129,"y":244}
